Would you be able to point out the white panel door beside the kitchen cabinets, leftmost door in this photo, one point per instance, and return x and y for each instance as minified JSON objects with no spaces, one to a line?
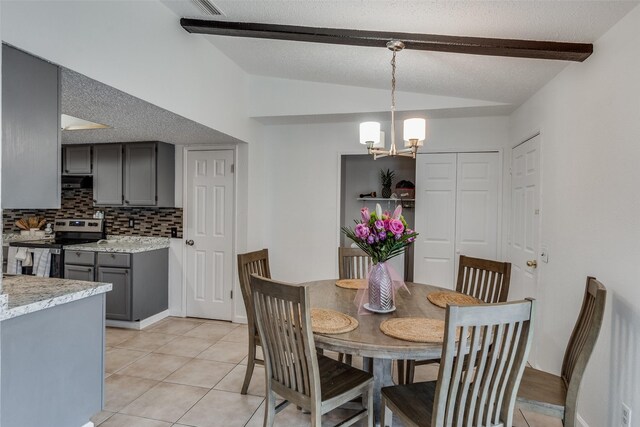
{"x":209,"y":234}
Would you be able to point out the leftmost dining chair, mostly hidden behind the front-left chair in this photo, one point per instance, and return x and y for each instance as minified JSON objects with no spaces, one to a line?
{"x":249,"y":263}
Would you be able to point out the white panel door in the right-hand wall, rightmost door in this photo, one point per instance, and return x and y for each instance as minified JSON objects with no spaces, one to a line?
{"x":525,"y":209}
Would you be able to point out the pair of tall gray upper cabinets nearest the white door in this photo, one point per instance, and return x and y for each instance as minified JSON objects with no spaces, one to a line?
{"x":134,"y":174}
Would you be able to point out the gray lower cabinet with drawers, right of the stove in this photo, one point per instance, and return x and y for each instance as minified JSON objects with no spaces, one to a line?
{"x":140,"y":280}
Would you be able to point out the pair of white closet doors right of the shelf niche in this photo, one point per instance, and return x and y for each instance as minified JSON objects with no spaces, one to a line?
{"x":456,"y":213}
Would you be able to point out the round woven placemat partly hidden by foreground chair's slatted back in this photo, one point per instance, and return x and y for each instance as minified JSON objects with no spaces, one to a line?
{"x":415,"y":329}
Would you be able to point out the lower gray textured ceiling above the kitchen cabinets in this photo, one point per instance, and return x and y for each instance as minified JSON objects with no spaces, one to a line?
{"x":129,"y":118}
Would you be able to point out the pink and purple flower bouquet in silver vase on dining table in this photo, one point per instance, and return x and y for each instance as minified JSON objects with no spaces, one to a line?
{"x":382,"y":236}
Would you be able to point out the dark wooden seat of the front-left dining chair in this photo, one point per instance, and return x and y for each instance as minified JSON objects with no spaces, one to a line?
{"x":337,"y":378}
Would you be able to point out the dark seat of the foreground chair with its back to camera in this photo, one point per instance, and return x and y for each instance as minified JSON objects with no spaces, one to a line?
{"x":415,"y":401}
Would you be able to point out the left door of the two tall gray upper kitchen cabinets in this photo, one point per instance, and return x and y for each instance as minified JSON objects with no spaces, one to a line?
{"x":107,"y":175}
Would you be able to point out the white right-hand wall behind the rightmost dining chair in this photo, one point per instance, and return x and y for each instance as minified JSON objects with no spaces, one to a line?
{"x":589,"y":119}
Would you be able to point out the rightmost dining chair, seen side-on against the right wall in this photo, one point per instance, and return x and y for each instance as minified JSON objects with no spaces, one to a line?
{"x":555,"y":395}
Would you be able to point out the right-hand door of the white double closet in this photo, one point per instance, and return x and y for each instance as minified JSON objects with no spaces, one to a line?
{"x":477,"y":206}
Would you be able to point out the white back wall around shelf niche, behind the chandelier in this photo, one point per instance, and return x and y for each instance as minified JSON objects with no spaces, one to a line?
{"x":302,"y":185}
